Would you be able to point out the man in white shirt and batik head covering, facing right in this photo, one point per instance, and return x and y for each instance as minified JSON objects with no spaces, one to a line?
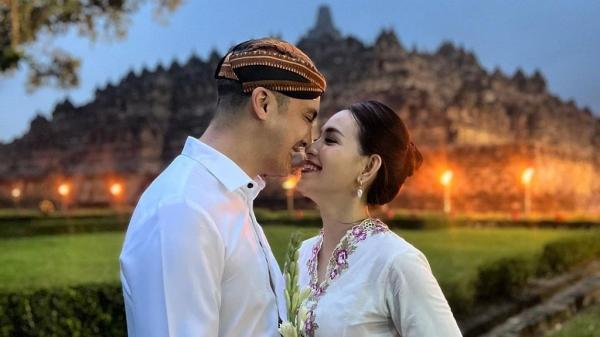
{"x":195,"y":262}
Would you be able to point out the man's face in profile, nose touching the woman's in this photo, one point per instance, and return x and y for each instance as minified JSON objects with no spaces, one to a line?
{"x":292,"y":133}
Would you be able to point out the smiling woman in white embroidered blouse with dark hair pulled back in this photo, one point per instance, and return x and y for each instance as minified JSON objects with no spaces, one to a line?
{"x":365,"y":280}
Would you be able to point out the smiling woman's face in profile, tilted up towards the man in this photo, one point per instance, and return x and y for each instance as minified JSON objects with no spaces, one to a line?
{"x":334,"y":160}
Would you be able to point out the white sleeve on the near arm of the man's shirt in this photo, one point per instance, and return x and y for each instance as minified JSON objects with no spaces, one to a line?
{"x":193,"y":256}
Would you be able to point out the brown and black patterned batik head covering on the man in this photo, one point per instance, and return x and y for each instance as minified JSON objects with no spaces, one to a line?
{"x":273,"y":64}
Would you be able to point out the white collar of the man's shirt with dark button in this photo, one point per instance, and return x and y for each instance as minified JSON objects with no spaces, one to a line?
{"x":220,"y":166}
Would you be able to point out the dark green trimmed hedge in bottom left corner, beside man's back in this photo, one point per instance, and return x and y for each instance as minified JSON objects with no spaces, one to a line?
{"x":82,"y":311}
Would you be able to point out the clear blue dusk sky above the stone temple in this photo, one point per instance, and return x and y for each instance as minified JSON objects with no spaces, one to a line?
{"x":561,"y":38}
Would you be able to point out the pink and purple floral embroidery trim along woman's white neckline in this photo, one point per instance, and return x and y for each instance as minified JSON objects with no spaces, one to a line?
{"x":338,"y":263}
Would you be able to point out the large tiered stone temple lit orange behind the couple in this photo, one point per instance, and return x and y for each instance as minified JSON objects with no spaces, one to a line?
{"x":487,"y":127}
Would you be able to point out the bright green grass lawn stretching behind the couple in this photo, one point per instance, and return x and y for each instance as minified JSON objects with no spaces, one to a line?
{"x":454,"y":254}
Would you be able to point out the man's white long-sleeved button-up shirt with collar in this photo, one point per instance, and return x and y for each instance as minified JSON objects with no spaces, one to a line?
{"x":195,"y":261}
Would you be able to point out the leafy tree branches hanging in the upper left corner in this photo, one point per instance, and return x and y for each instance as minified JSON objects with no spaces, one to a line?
{"x":23,"y":22}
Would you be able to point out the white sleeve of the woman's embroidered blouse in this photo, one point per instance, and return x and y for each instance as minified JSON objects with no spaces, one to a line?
{"x":416,"y":302}
